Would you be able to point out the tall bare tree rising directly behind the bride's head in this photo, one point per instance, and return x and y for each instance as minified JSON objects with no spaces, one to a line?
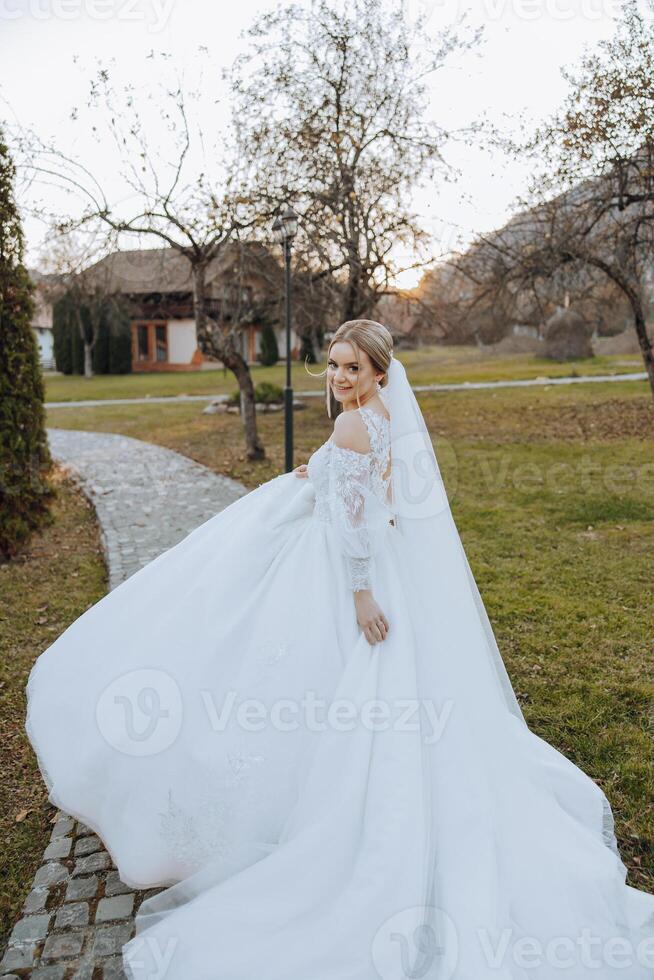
{"x":330,"y":105}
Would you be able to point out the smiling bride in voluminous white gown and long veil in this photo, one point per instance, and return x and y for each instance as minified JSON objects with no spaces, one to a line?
{"x":297,"y":719}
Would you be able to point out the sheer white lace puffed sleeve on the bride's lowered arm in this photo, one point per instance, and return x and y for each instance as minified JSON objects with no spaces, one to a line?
{"x":358,"y":516}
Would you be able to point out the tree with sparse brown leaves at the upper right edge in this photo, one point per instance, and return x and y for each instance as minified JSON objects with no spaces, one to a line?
{"x":597,"y":187}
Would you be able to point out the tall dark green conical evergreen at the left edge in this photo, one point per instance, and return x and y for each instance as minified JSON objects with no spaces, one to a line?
{"x":25,"y":492}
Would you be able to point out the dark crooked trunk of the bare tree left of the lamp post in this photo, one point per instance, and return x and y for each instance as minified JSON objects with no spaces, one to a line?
{"x":210,"y":341}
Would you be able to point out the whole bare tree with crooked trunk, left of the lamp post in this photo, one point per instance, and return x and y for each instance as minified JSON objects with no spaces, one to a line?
{"x":179,"y":203}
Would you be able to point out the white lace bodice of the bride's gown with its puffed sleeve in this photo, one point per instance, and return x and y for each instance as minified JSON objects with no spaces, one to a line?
{"x":352,"y":493}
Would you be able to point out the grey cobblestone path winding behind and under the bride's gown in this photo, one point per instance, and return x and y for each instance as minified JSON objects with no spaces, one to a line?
{"x":79,"y":914}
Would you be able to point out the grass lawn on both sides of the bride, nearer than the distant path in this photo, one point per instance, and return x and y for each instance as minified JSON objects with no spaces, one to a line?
{"x":553,"y":491}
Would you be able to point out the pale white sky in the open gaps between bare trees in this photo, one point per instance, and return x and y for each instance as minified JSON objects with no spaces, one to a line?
{"x":48,"y":49}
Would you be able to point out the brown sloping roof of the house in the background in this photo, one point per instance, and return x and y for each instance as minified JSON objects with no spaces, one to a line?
{"x":165,"y":270}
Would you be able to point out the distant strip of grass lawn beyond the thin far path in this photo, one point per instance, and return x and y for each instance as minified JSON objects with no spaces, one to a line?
{"x":429,"y":364}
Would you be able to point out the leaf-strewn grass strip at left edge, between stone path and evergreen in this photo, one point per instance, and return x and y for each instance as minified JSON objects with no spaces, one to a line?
{"x":57,"y":577}
